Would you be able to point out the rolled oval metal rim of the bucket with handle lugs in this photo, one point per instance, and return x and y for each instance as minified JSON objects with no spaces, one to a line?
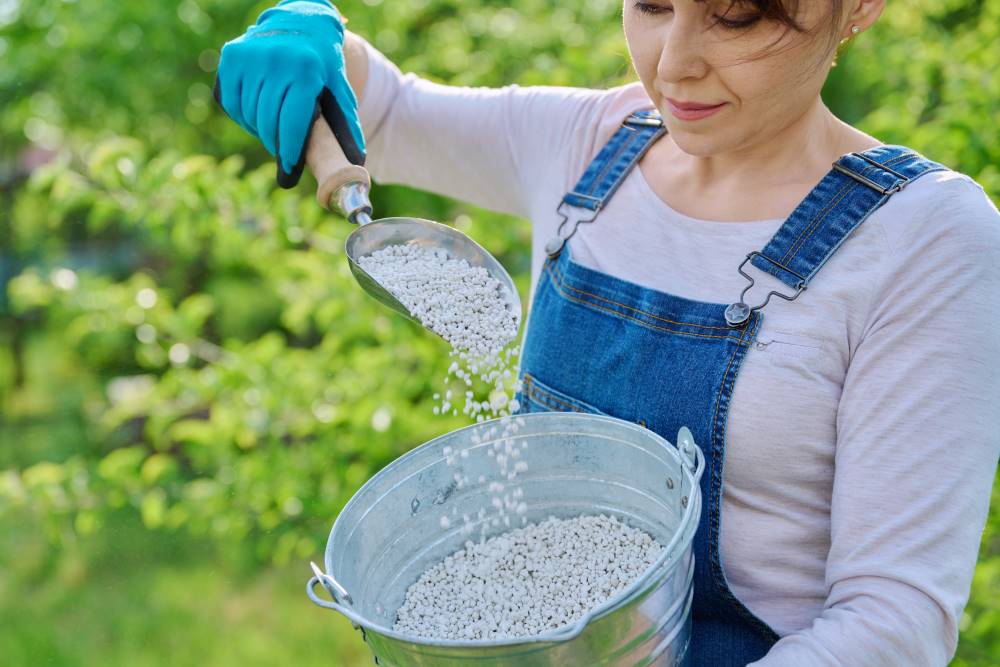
{"x":691,"y":516}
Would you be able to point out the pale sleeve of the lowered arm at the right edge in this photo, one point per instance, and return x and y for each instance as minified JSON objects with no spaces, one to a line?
{"x":918,"y":437}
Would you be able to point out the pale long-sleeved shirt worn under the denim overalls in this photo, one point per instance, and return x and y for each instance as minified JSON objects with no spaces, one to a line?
{"x":864,"y":426}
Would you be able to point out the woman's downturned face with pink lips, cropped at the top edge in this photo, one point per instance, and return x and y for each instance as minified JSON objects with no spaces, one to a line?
{"x":678,"y":53}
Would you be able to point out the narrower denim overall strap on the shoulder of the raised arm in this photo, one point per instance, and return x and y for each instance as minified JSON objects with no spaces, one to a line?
{"x":605,"y":174}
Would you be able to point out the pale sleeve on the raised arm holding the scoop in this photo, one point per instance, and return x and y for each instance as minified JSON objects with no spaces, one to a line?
{"x":492,"y":147}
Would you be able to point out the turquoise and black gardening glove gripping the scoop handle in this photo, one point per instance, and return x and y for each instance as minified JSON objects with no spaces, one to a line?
{"x":285,"y":70}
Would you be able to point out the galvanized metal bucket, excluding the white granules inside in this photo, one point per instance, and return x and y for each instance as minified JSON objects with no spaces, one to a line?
{"x":391,"y":532}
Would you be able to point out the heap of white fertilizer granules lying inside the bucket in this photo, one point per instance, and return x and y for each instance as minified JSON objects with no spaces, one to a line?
{"x":526,"y":581}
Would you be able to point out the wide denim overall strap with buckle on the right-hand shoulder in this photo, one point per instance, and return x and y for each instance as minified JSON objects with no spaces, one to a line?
{"x":857,"y":185}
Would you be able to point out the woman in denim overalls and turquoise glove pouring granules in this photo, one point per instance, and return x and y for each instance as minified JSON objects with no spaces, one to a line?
{"x":851,"y":435}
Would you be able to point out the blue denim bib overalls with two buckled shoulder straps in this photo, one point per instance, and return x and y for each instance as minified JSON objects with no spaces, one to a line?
{"x":600,"y":344}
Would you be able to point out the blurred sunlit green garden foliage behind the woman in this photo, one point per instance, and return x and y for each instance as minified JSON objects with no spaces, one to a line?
{"x":191,"y":385}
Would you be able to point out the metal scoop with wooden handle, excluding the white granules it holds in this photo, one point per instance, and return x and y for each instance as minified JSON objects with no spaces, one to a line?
{"x":346,"y":186}
